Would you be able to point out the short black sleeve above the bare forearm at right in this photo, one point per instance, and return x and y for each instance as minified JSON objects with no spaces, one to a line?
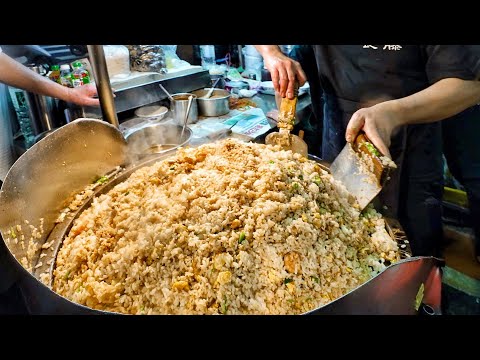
{"x":457,"y":61}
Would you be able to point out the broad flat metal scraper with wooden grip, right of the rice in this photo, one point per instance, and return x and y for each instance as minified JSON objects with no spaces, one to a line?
{"x":360,"y":169}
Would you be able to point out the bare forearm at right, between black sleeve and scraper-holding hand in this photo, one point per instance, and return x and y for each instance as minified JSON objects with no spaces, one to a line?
{"x":439,"y":101}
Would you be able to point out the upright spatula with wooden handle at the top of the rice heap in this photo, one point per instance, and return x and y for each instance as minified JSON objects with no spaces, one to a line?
{"x":286,"y":121}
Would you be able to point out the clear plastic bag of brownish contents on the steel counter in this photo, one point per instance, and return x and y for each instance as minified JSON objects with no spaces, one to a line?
{"x":145,"y":58}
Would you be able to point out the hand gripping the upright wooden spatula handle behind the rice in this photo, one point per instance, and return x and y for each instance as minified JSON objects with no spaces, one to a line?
{"x":284,"y":72}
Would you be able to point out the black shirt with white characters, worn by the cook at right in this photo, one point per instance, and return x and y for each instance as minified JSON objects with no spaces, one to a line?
{"x":369,"y":74}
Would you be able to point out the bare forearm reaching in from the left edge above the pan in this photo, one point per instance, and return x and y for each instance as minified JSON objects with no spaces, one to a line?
{"x":15,"y":74}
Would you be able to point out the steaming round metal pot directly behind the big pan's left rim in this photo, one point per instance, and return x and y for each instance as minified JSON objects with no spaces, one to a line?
{"x":157,"y":139}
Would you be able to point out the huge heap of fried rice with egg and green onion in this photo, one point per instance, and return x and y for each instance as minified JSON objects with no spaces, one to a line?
{"x":225,"y":228}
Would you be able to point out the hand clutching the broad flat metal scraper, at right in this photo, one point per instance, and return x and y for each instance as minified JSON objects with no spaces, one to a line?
{"x":378,"y":122}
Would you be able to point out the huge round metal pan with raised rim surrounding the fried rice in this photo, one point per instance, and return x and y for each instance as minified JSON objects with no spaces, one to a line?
{"x":46,"y":178}
